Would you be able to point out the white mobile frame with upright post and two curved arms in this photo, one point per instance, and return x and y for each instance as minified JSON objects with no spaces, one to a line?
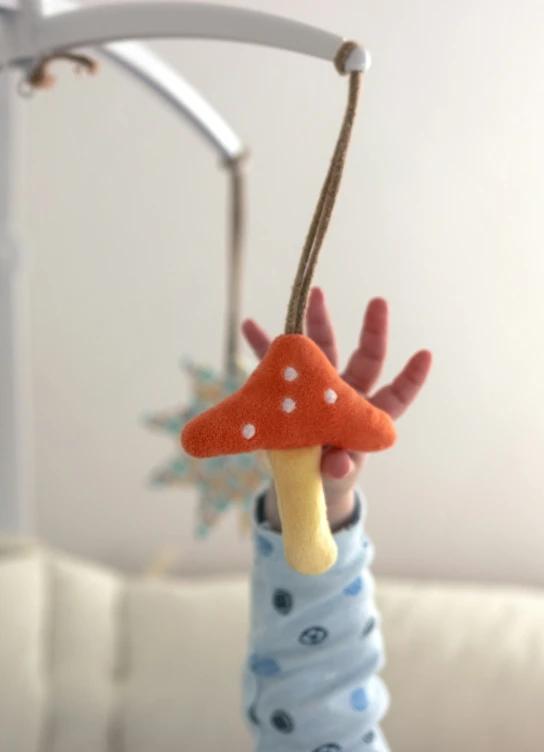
{"x":29,"y":30}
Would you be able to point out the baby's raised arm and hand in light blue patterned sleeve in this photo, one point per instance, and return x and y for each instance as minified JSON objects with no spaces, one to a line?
{"x":311,"y":680}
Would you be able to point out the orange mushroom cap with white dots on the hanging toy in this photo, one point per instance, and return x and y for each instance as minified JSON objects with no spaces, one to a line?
{"x":294,"y":399}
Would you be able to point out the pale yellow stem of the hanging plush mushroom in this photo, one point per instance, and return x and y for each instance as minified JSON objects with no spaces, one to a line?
{"x":307,"y":538}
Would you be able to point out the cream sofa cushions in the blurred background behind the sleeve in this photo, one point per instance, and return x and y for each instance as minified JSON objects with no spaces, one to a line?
{"x":91,"y":661}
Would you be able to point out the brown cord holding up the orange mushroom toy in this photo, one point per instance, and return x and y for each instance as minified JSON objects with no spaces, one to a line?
{"x":323,"y":212}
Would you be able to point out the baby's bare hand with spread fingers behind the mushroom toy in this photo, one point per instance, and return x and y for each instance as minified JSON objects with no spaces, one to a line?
{"x":340,"y":469}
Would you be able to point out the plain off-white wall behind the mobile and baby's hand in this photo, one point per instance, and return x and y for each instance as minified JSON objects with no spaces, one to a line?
{"x":441,"y":211}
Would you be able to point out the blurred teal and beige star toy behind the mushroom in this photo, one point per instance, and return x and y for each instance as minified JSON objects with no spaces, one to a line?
{"x":223,"y":483}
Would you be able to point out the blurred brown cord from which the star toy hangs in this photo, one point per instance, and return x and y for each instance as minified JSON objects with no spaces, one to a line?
{"x":237,"y":215}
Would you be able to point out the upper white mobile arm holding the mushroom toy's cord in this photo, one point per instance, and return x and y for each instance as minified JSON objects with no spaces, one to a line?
{"x":28,"y":35}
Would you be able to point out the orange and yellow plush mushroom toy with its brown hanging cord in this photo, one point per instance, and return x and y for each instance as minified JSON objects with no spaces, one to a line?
{"x":295,"y":402}
